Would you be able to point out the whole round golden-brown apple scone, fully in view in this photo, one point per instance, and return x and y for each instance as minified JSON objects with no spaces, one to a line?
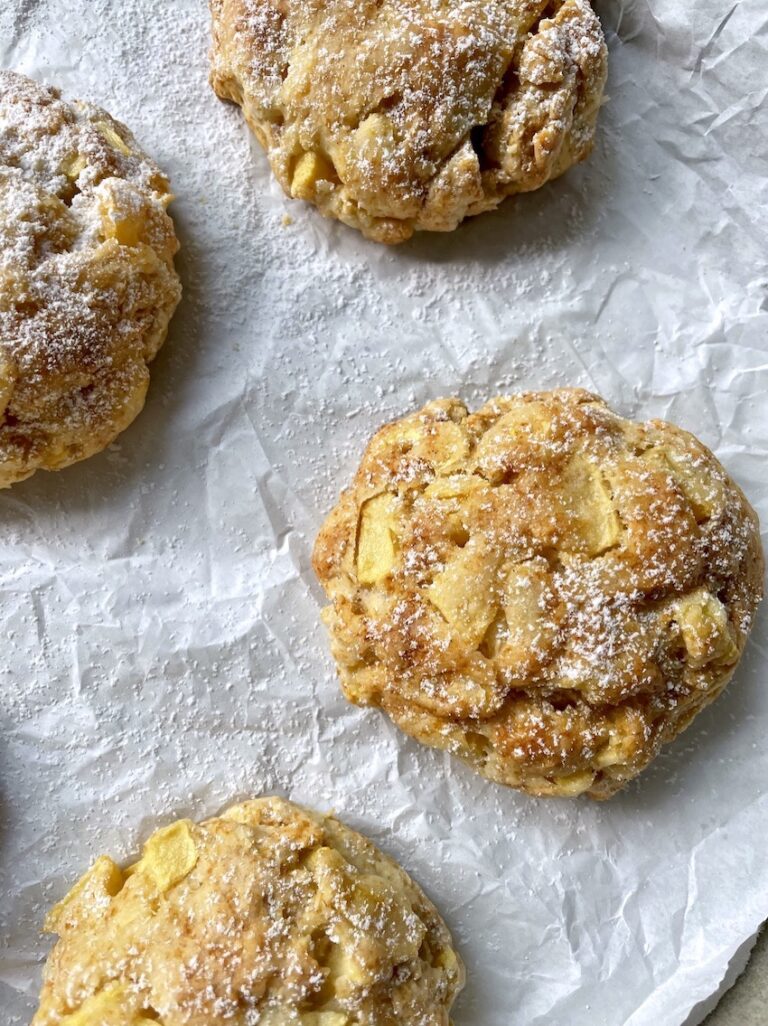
{"x":544,"y":588}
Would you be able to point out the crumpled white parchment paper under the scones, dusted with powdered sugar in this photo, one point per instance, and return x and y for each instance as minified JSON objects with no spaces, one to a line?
{"x":163,"y":650}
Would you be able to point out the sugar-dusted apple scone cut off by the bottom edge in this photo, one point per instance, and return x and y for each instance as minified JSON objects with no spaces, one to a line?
{"x":269,"y":915}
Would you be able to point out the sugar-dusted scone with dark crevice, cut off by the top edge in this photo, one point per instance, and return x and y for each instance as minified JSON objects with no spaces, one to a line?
{"x":395,"y":116}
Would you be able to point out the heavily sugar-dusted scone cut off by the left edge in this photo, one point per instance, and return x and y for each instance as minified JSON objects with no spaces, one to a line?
{"x":88,"y":285}
